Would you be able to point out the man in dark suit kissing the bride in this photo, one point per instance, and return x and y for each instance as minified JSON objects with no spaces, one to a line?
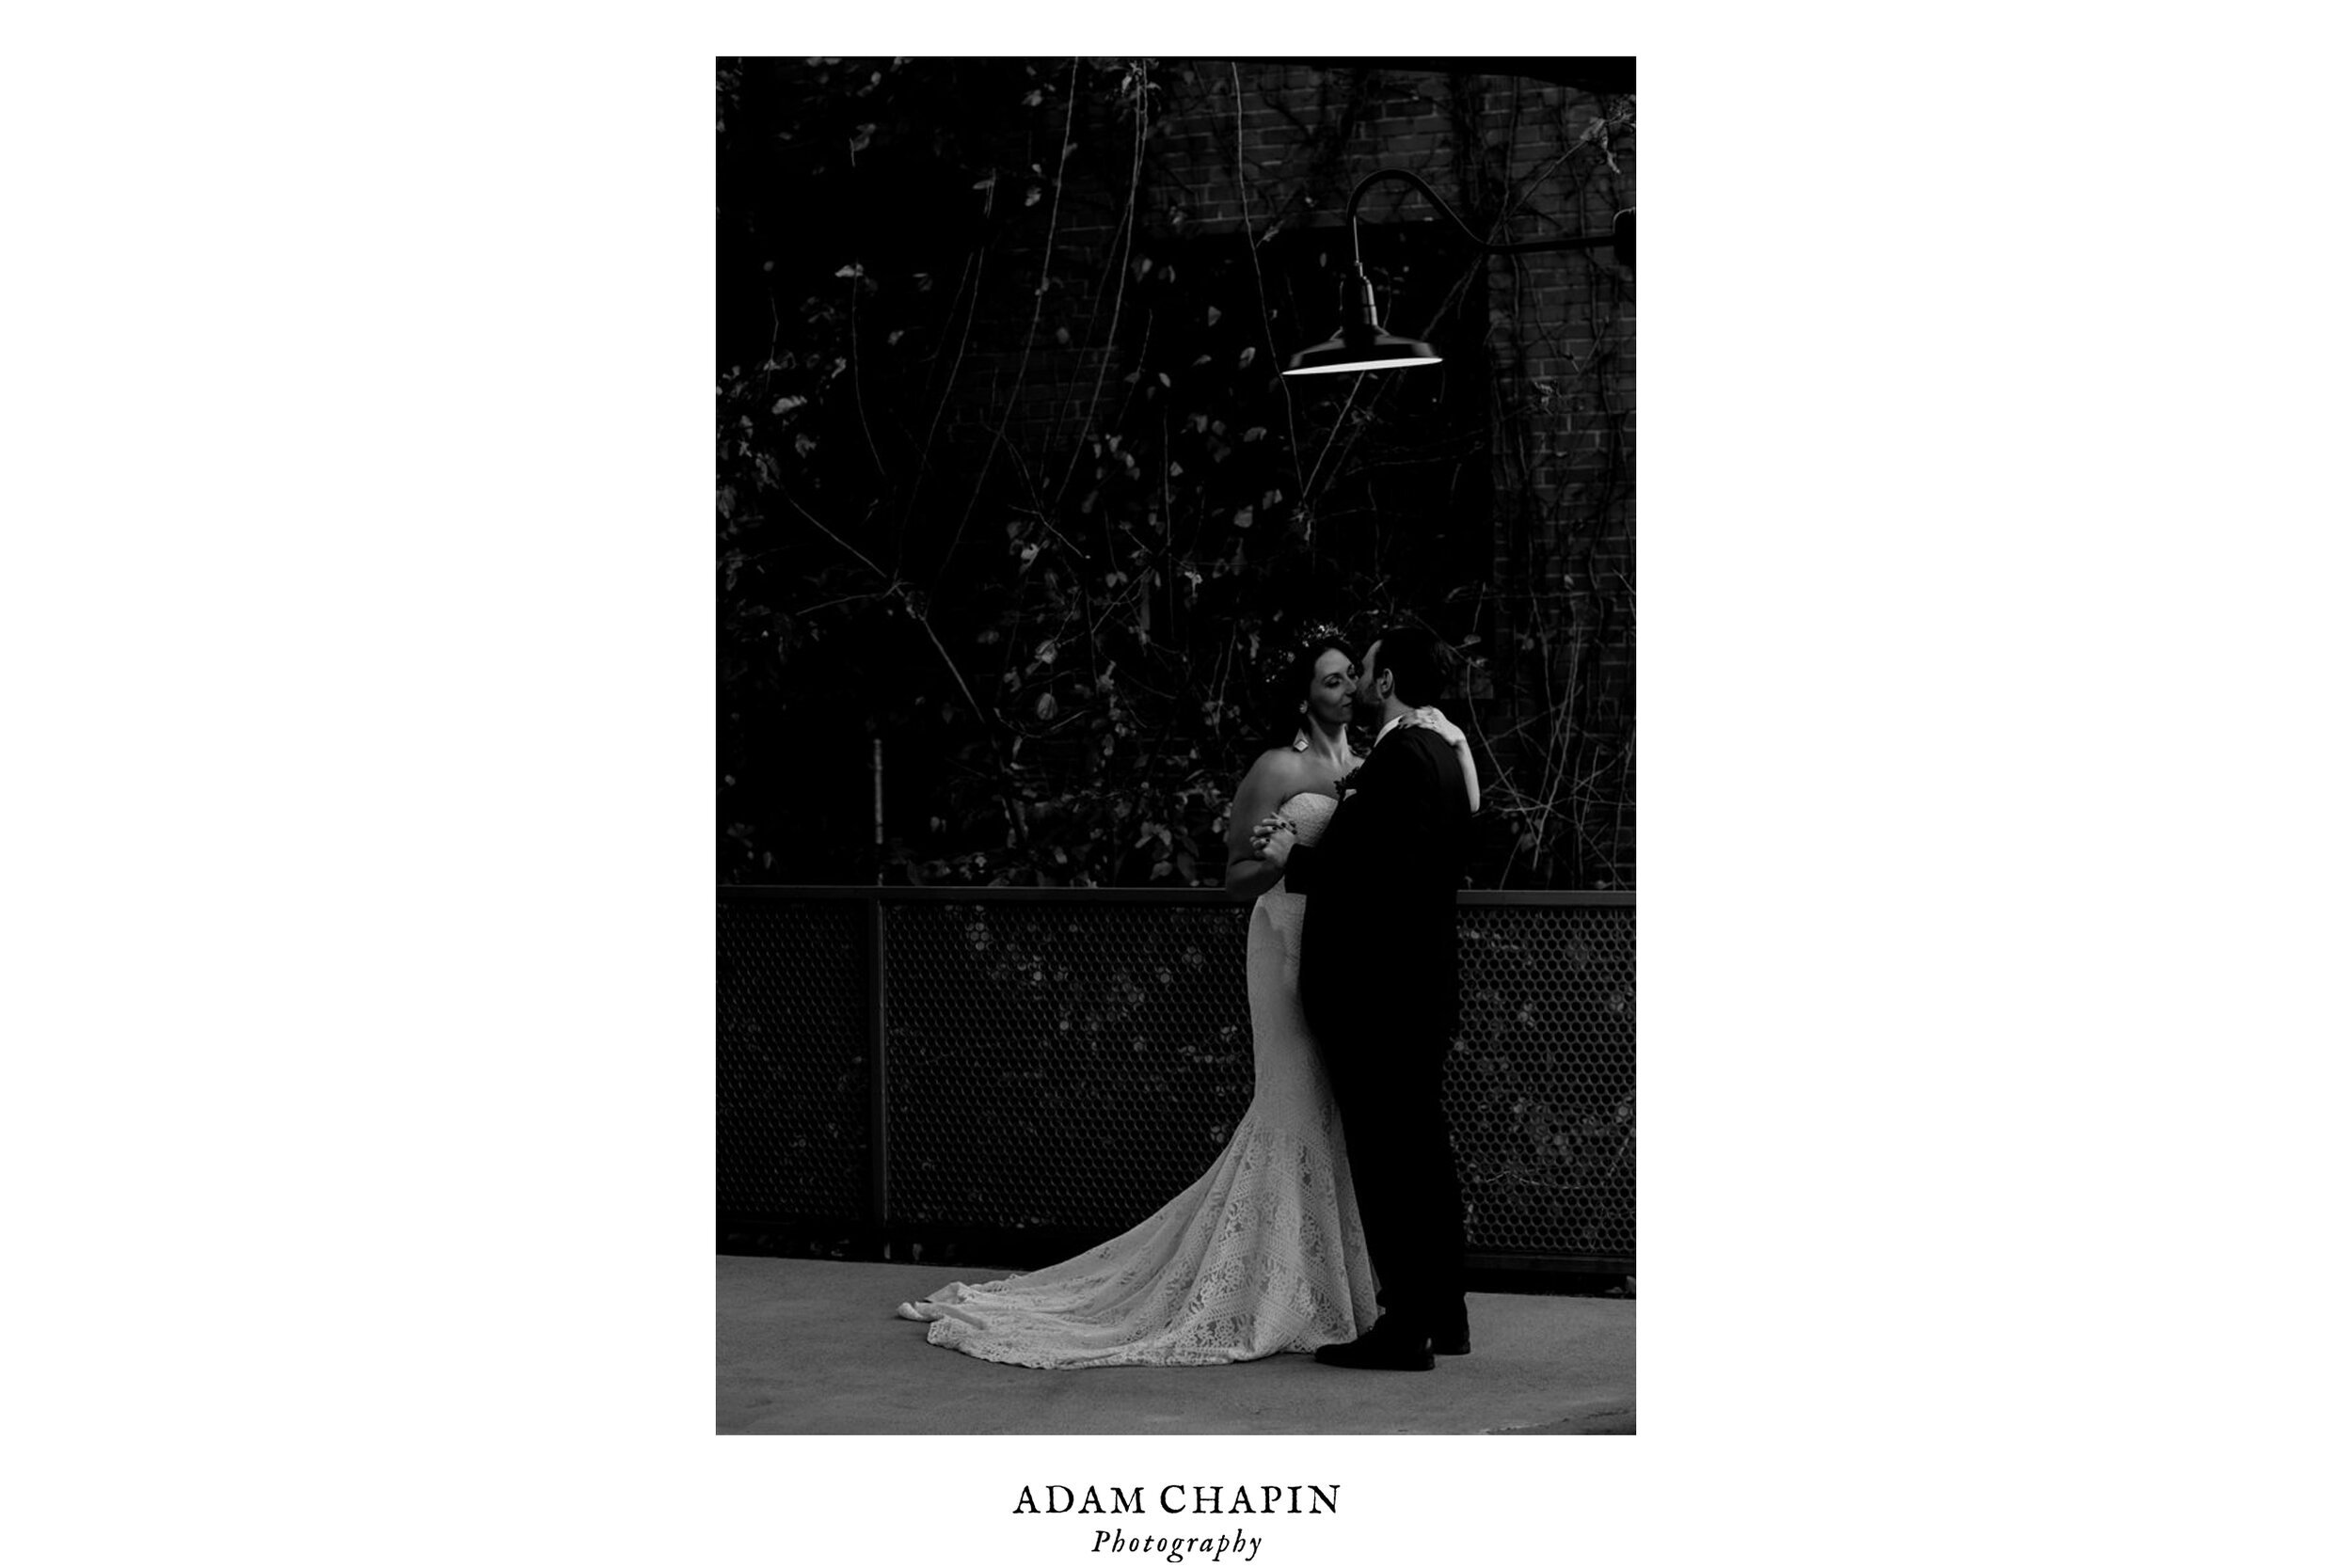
{"x":1377,"y":977}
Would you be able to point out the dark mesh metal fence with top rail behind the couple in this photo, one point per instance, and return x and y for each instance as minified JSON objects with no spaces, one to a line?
{"x":1062,"y":1061}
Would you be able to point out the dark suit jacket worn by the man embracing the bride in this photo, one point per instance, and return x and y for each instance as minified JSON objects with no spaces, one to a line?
{"x":1379,"y":890}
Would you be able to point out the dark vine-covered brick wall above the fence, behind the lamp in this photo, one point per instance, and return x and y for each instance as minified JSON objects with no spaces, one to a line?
{"x":1010,"y":481}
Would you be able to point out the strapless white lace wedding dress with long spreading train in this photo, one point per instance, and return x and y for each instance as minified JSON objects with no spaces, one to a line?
{"x":1259,"y":1257}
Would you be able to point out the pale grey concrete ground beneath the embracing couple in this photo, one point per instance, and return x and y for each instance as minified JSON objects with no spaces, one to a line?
{"x":813,"y":1346}
